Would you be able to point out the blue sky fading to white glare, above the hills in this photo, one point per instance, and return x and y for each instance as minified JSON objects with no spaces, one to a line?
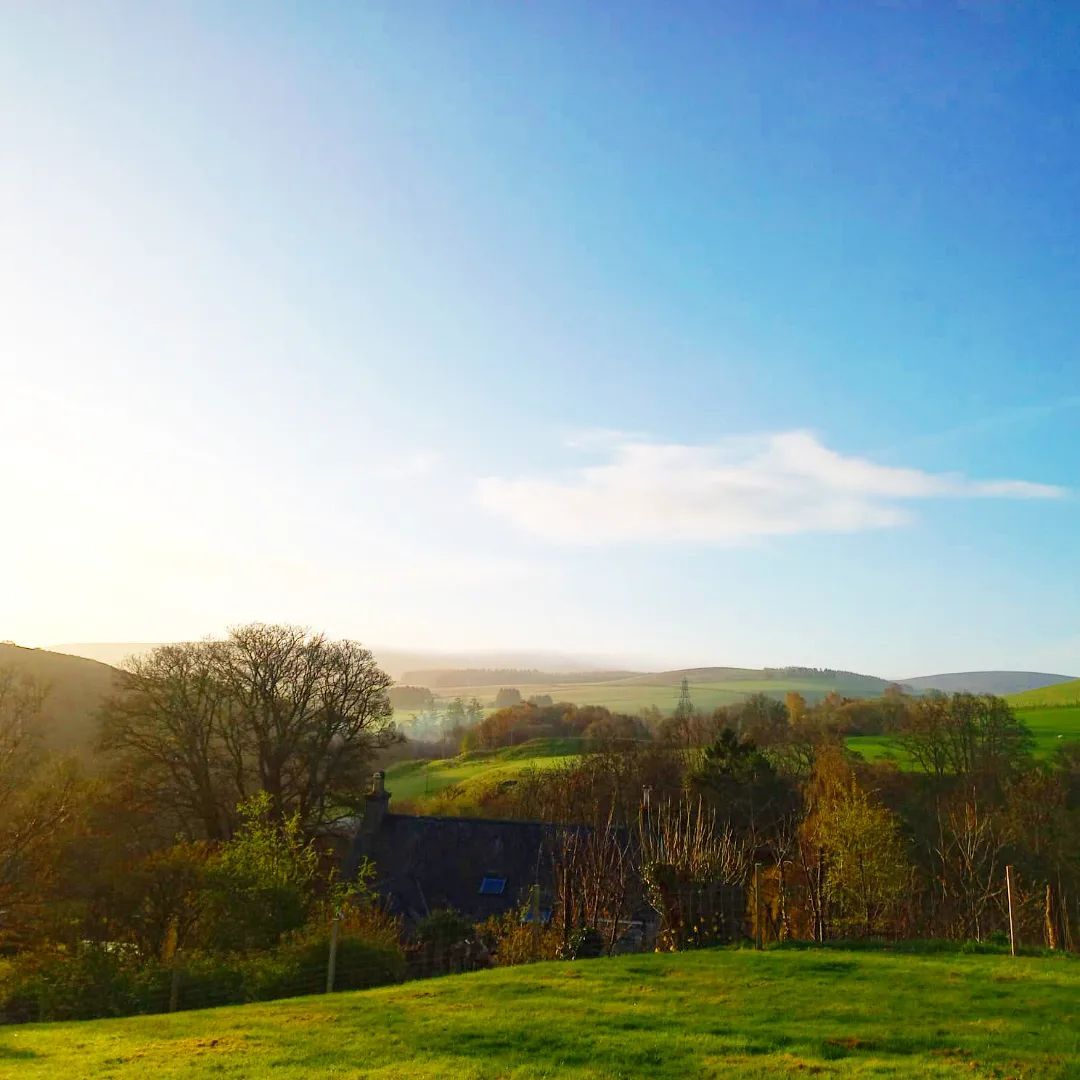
{"x":674,"y":334}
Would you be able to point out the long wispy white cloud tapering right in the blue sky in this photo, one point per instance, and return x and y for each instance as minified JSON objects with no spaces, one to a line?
{"x":728,"y":493}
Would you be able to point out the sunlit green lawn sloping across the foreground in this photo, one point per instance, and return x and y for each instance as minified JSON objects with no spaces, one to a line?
{"x":703,"y":1015}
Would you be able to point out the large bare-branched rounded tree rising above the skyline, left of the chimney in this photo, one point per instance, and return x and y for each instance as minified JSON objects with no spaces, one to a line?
{"x":271,"y":709}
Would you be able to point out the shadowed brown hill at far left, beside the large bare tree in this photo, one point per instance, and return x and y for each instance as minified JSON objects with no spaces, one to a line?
{"x":77,"y":687}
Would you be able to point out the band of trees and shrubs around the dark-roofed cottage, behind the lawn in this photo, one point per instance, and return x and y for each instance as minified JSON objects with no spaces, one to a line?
{"x":206,"y":825}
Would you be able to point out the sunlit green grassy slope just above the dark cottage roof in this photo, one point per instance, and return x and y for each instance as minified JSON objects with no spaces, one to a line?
{"x":414,"y":780}
